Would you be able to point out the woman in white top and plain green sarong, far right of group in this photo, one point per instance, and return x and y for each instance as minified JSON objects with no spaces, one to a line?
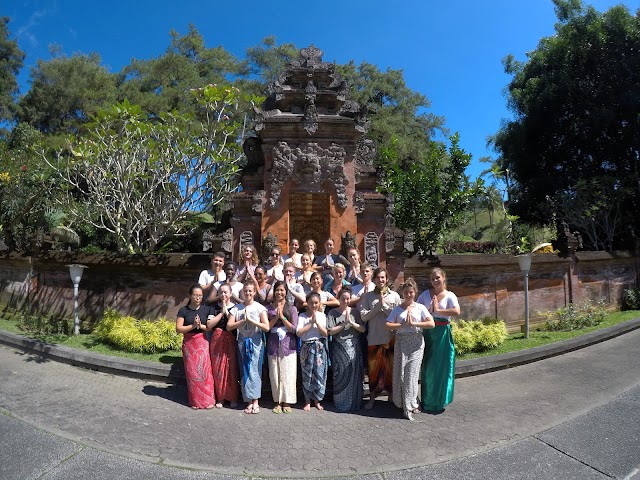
{"x":439,"y":361}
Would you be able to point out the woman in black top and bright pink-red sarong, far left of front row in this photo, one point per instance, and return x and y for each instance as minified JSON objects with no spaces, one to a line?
{"x":191,"y":322}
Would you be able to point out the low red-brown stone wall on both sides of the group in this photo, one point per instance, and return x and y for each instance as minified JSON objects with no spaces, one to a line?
{"x":150,"y":286}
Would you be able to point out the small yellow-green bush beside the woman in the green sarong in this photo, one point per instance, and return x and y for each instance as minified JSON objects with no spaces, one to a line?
{"x":476,"y":336}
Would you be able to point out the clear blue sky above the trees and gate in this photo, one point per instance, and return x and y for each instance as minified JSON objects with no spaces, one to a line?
{"x":449,"y":50}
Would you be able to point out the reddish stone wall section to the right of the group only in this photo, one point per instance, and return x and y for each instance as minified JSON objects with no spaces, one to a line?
{"x":493,"y":285}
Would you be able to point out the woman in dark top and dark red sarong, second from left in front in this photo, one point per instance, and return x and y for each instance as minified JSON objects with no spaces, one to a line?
{"x":223,"y":349}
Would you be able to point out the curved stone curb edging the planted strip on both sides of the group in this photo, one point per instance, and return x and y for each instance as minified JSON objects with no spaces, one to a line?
{"x":175,"y":373}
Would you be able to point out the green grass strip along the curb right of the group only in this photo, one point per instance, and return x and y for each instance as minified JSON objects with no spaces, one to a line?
{"x":516,"y":341}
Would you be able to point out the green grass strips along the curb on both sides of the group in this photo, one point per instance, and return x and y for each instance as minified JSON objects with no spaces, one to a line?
{"x":514,"y":342}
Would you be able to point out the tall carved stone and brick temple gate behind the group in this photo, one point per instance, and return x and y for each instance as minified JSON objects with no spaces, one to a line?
{"x":310,"y":170}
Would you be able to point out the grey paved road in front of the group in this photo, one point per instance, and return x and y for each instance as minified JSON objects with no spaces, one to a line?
{"x":571,"y":416}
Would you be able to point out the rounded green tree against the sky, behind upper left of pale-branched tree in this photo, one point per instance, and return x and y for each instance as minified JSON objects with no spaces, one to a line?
{"x":65,"y":92}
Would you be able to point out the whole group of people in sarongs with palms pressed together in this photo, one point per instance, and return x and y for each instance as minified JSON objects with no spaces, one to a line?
{"x":320,"y":314}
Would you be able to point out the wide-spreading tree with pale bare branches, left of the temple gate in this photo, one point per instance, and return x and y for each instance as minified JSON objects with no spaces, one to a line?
{"x":141,"y":179}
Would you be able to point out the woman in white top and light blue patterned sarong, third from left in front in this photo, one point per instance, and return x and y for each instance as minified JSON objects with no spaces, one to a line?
{"x":250,"y":319}
